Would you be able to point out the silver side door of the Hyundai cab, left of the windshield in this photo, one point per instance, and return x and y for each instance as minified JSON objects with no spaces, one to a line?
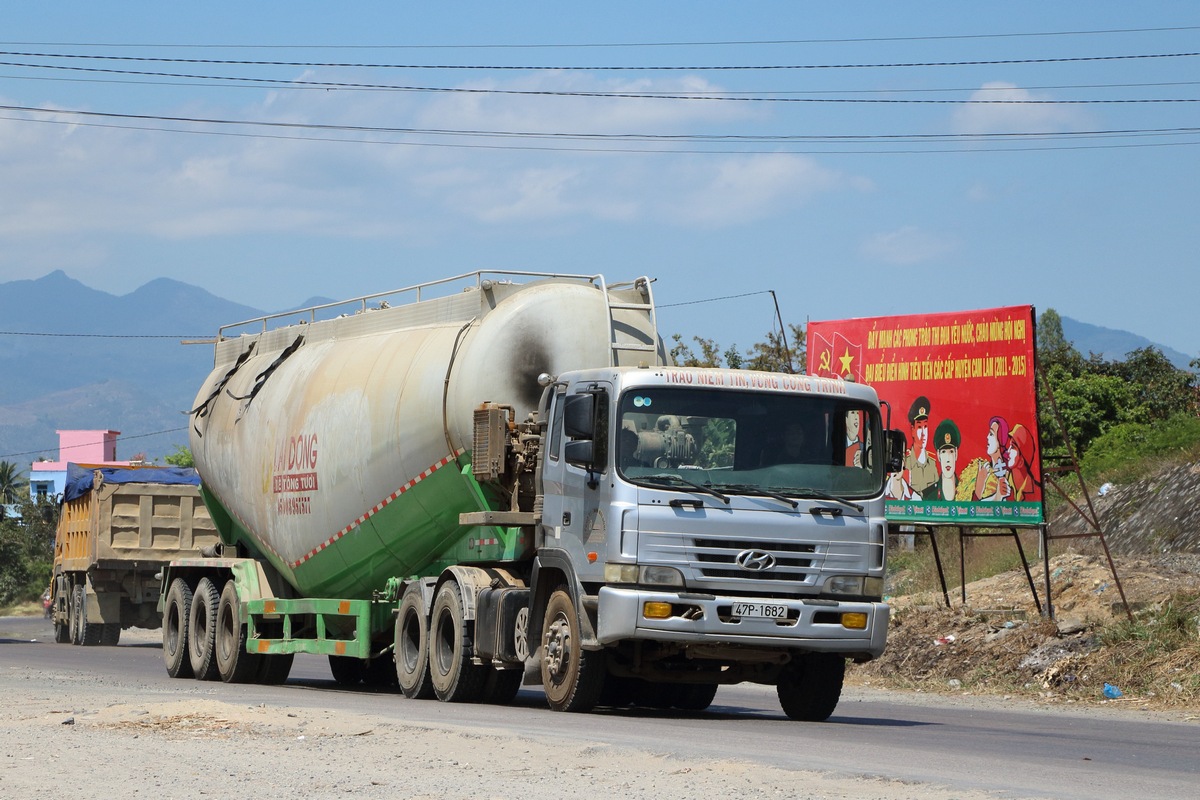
{"x":577,"y":478}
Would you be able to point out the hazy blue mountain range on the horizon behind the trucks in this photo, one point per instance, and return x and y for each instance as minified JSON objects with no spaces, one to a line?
{"x":75,"y":358}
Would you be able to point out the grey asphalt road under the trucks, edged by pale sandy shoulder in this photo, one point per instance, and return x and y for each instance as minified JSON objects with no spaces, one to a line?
{"x":1016,"y":750}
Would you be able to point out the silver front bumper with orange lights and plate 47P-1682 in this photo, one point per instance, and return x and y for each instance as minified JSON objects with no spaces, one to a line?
{"x":812,"y":625}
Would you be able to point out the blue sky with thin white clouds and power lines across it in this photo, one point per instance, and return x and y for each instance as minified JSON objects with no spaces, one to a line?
{"x":843,"y":208}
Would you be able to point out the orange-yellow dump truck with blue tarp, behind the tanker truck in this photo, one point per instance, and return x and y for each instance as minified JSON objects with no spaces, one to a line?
{"x":118,"y":527}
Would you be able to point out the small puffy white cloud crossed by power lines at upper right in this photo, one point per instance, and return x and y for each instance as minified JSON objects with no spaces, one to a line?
{"x":1012,"y":112}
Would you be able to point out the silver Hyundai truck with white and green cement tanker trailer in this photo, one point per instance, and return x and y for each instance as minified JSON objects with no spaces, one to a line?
{"x":500,"y":479}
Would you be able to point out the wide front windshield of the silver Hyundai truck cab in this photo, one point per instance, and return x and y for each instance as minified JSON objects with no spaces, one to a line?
{"x":751,"y":443}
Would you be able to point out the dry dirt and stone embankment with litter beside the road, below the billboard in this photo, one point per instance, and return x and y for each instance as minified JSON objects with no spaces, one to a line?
{"x":1091,"y":652}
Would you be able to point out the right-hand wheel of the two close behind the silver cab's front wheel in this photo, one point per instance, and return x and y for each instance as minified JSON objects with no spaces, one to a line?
{"x":455,"y":677}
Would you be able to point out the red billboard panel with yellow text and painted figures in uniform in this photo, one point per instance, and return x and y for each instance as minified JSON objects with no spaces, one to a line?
{"x":962,"y":388}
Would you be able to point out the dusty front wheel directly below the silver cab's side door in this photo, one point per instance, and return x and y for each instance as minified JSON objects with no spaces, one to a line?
{"x":572,"y":676}
